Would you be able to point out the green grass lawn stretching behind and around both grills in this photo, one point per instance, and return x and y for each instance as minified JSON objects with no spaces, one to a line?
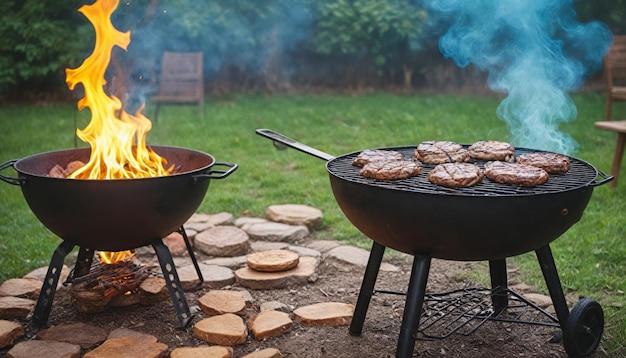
{"x":589,"y":256}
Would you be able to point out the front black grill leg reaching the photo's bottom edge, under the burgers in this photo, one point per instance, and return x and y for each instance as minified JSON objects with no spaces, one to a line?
{"x":413,"y":306}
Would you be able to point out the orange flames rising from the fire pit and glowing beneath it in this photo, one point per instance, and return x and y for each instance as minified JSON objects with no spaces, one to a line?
{"x":117,"y":139}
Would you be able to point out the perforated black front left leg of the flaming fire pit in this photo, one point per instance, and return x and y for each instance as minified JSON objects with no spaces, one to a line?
{"x":49,"y":287}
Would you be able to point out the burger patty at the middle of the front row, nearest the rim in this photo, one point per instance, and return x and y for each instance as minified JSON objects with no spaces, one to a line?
{"x":456,"y":175}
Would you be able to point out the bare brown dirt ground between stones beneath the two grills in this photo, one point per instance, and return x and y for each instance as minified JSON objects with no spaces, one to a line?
{"x":380,"y":331}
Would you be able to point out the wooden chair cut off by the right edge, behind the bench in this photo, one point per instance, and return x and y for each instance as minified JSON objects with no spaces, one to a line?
{"x":615,"y":73}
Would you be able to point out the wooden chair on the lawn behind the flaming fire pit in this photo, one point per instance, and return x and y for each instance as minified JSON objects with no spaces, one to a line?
{"x":181,"y":81}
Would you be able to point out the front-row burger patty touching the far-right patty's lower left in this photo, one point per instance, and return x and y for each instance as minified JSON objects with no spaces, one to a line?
{"x":515,"y":174}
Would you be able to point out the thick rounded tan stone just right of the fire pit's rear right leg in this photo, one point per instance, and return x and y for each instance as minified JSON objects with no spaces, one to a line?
{"x":223,"y":241}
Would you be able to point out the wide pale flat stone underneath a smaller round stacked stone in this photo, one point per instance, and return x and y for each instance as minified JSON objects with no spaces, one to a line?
{"x":298,"y":276}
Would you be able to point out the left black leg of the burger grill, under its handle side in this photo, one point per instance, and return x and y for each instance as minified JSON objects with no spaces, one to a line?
{"x":367,"y":288}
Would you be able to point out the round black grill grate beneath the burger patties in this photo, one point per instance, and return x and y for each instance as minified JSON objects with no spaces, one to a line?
{"x":580,"y":174}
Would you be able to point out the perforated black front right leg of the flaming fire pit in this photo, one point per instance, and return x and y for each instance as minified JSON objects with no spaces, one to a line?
{"x":173,"y":282}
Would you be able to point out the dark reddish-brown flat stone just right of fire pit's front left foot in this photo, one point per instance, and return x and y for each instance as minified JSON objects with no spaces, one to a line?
{"x":84,"y":335}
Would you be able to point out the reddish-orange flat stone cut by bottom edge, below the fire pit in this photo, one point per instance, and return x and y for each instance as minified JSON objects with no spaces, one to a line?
{"x":130,"y":346}
